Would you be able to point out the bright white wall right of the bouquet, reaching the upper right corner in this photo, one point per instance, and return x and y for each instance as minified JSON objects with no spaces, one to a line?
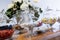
{"x":54,"y":4}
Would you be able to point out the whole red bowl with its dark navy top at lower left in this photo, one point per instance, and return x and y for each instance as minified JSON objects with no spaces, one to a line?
{"x":6,"y":32}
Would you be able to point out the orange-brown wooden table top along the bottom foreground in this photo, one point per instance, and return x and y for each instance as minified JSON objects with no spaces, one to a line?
{"x":37,"y":37}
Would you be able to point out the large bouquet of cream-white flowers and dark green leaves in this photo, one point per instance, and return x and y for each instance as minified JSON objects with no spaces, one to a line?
{"x":21,"y":5}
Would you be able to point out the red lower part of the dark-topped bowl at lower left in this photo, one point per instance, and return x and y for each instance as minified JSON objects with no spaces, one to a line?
{"x":4,"y":34}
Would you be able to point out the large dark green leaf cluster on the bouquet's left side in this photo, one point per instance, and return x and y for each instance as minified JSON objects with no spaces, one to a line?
{"x":11,"y":11}
